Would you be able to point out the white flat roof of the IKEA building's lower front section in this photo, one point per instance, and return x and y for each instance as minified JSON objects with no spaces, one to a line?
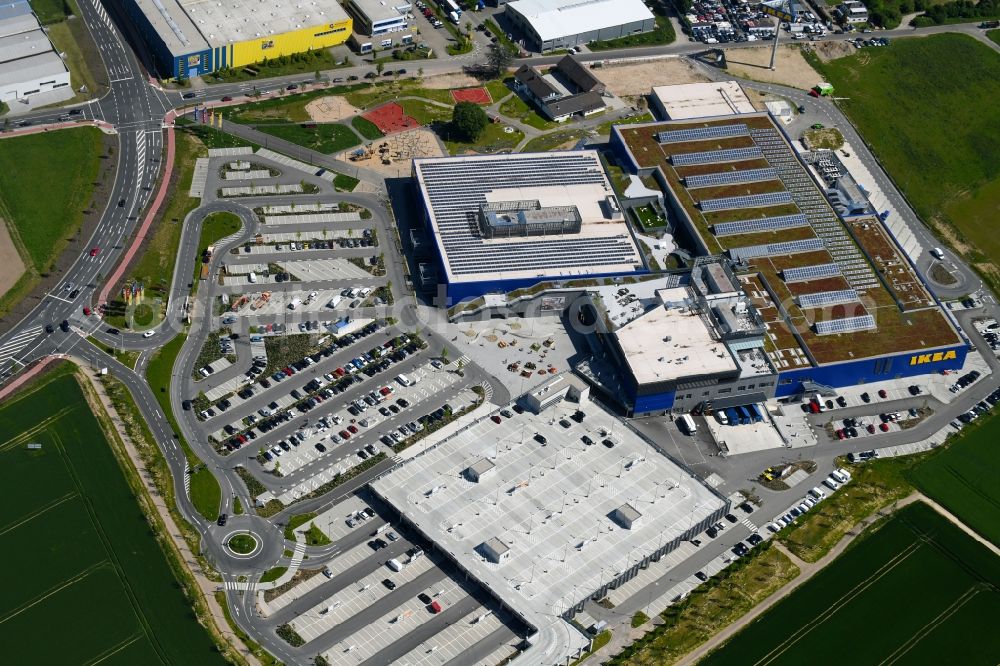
{"x":670,"y":342}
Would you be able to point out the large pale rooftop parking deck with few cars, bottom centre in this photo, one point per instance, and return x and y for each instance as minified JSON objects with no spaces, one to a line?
{"x":551,"y":505}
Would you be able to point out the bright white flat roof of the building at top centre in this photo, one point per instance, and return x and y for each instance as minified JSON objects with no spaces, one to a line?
{"x":552,"y":19}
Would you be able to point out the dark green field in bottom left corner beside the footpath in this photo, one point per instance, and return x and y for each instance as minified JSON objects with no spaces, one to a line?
{"x":89,"y":581}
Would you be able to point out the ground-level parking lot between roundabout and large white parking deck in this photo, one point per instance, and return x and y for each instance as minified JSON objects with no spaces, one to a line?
{"x":383,"y":599}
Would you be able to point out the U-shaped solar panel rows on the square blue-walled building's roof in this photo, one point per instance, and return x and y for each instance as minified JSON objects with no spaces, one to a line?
{"x":457,"y":187}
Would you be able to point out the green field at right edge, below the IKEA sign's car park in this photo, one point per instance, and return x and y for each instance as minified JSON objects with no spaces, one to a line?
{"x":963,"y":478}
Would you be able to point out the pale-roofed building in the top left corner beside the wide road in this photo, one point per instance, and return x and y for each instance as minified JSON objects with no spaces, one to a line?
{"x":28,"y":64}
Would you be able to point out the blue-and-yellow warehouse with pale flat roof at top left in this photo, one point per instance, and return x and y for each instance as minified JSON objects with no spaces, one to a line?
{"x":196,"y":37}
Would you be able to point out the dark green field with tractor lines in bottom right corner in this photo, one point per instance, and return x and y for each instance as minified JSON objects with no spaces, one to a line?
{"x":917,"y":590}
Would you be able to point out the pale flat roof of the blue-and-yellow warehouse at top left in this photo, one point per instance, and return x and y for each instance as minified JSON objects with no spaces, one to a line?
{"x":193,"y":25}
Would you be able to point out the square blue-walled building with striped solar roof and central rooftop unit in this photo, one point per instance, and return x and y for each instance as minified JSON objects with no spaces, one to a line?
{"x":501,"y":222}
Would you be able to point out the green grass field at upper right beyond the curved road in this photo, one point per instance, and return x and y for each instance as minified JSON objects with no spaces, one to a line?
{"x":939,"y":141}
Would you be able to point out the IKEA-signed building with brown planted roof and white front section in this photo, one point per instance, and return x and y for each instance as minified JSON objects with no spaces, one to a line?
{"x":791,"y":298}
